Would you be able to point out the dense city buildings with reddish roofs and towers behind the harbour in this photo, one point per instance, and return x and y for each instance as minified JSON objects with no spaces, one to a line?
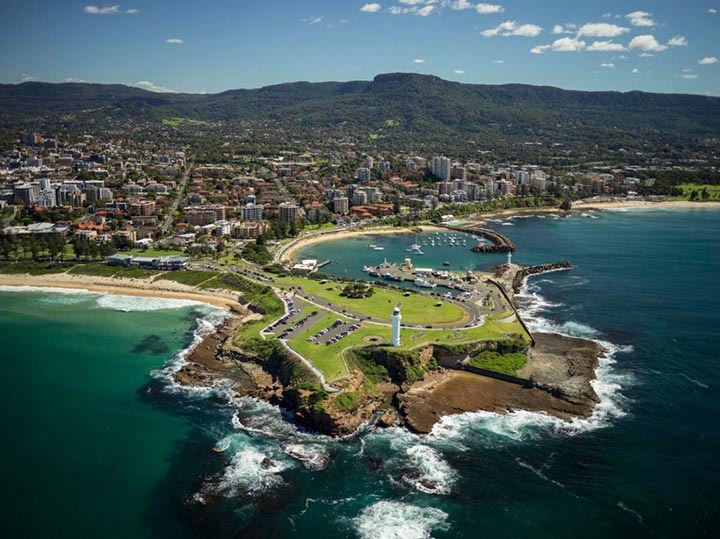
{"x":127,"y":191}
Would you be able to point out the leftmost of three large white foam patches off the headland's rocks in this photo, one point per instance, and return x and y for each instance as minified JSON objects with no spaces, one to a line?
{"x":251,"y":472}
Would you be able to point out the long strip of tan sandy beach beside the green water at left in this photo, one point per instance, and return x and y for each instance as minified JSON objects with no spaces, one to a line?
{"x":127,"y":287}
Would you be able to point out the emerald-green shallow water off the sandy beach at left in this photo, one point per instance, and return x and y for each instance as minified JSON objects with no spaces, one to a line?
{"x":84,"y":445}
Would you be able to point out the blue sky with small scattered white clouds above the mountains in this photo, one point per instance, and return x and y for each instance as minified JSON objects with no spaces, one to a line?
{"x":215,"y":45}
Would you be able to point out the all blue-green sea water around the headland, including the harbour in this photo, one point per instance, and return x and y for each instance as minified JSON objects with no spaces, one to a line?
{"x":97,"y":442}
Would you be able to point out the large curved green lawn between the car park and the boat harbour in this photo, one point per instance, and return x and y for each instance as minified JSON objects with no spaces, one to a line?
{"x":416,"y":308}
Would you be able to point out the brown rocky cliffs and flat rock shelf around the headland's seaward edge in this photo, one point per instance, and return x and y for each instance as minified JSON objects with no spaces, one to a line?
{"x":418,"y":386}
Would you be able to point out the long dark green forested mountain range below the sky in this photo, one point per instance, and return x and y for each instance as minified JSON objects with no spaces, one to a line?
{"x":397,"y":106}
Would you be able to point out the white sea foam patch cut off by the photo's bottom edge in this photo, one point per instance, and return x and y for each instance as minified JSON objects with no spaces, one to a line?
{"x":397,"y":520}
